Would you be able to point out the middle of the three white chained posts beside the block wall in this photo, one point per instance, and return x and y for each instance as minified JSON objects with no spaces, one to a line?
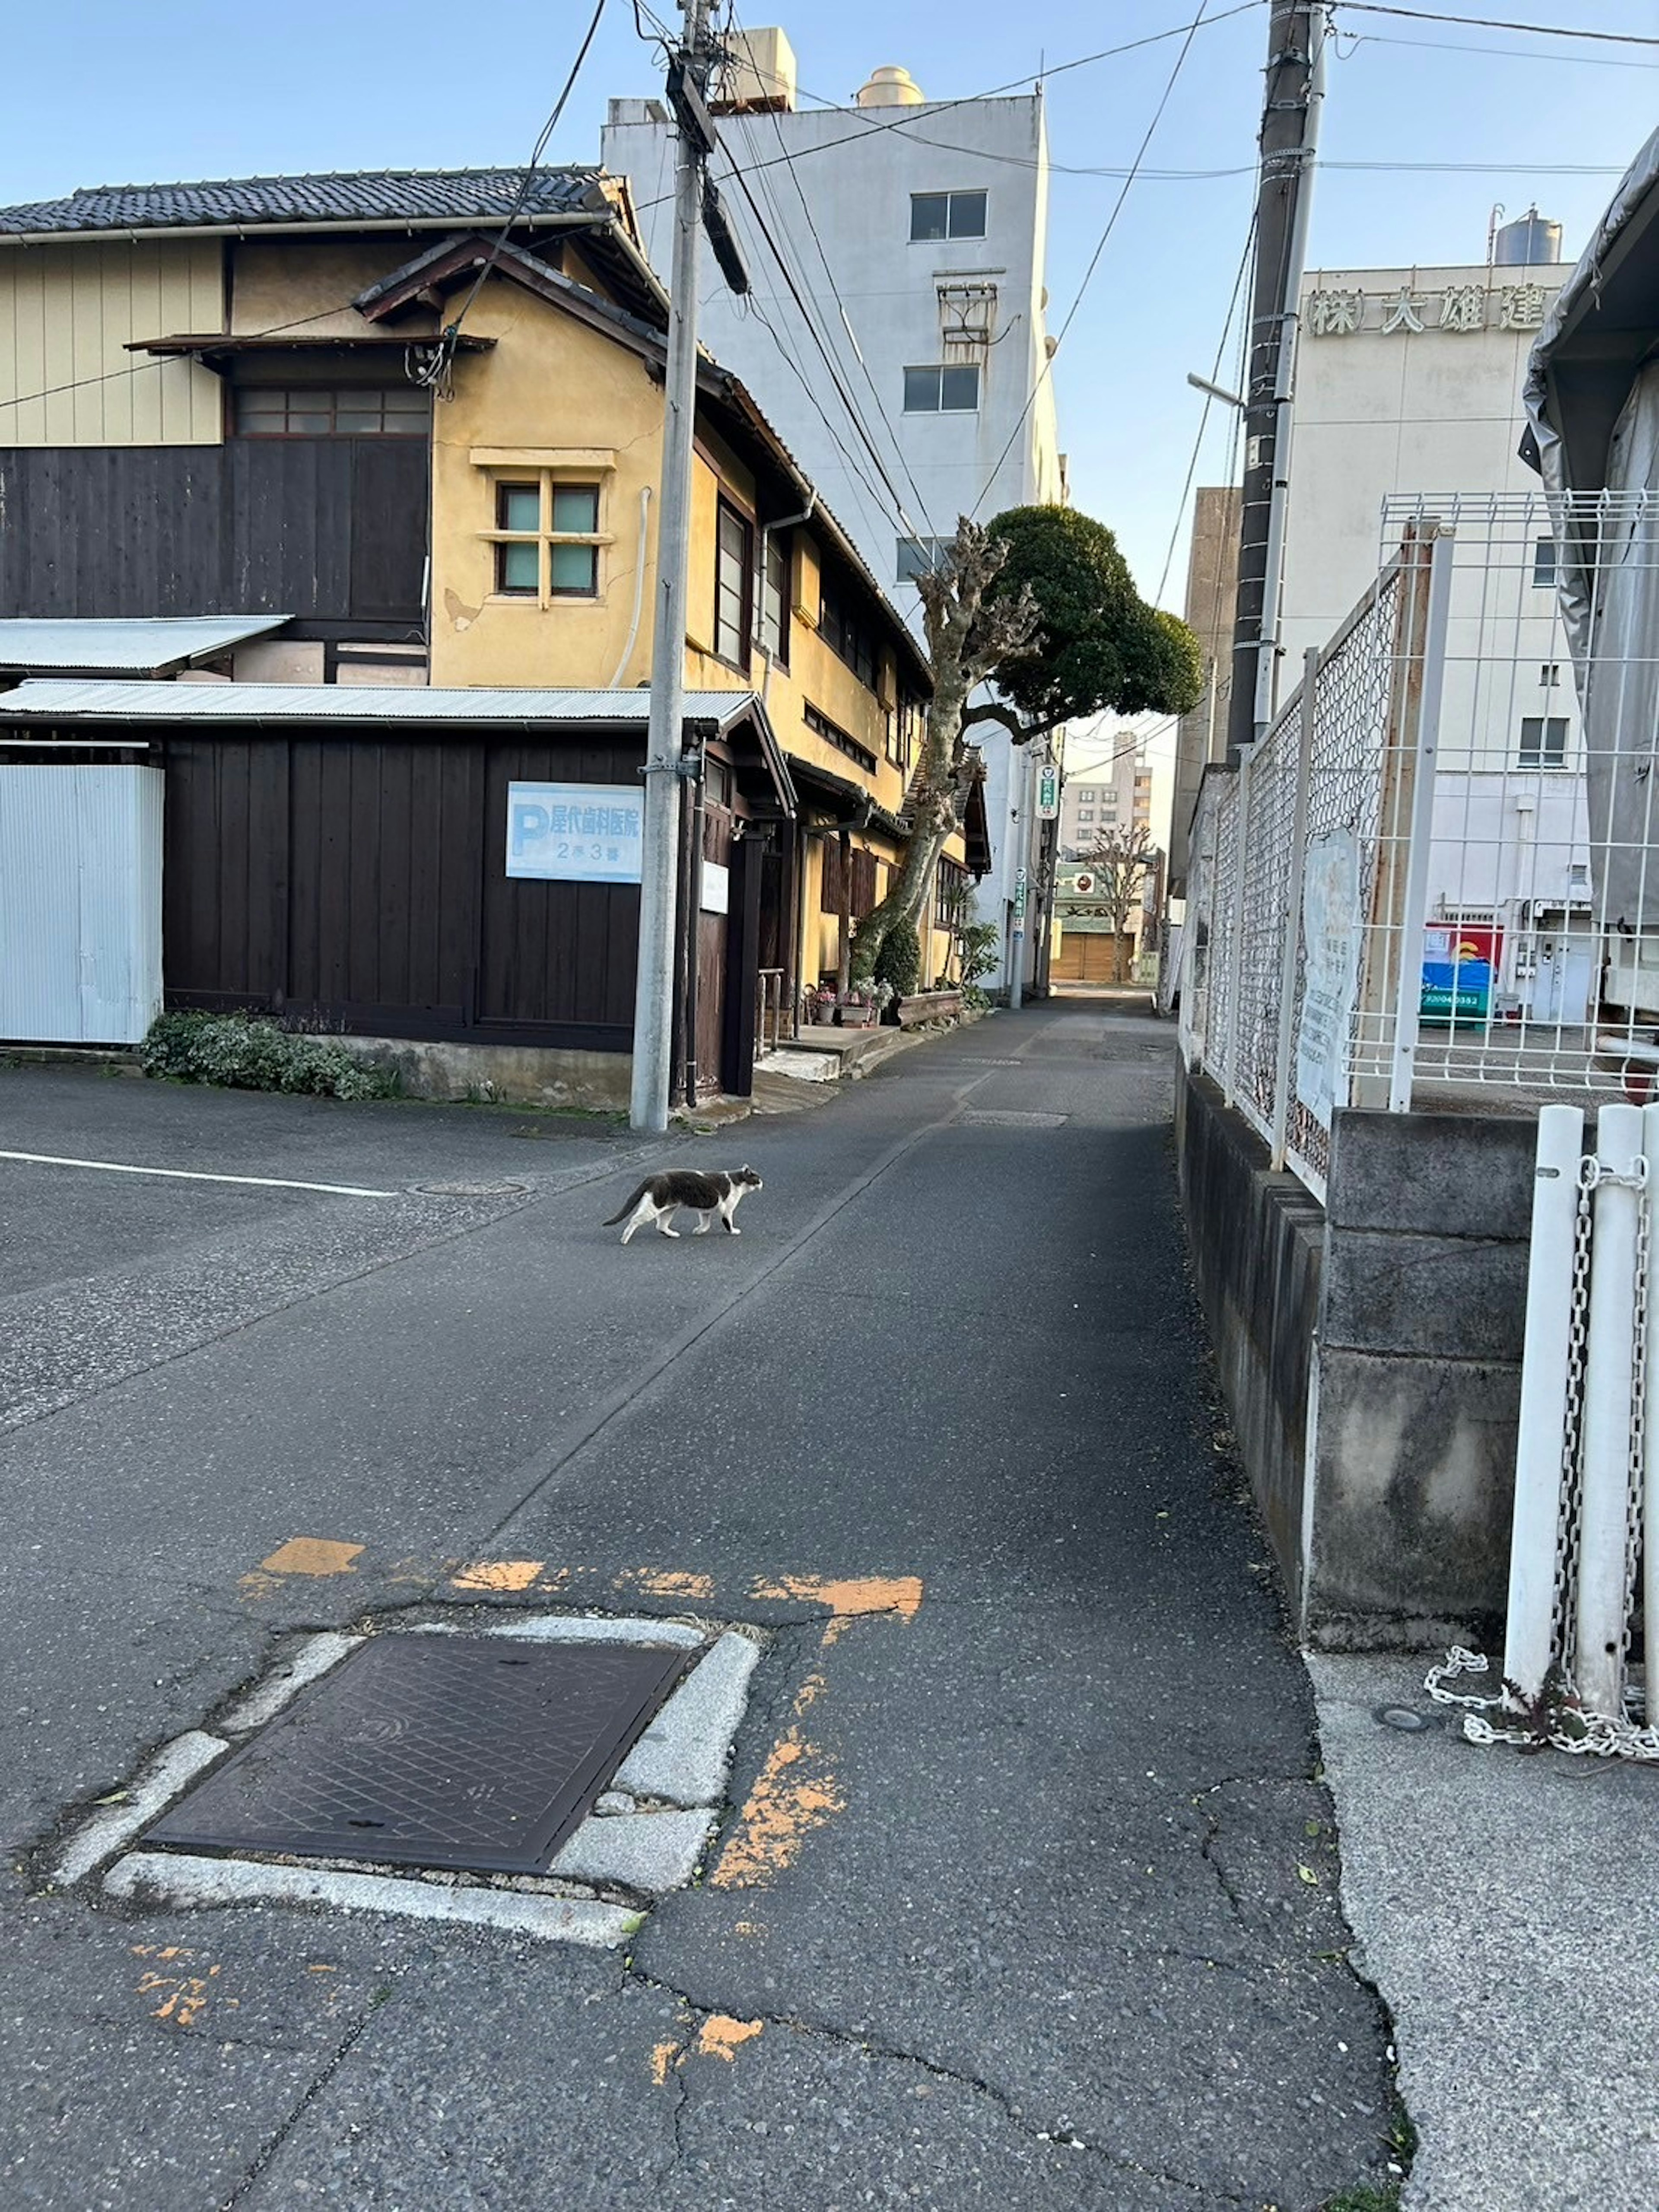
{"x":1609,"y":1377}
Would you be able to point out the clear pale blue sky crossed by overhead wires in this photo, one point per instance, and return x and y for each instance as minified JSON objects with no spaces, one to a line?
{"x":180,"y":90}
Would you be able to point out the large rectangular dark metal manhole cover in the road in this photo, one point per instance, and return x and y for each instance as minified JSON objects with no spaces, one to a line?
{"x":430,"y":1751}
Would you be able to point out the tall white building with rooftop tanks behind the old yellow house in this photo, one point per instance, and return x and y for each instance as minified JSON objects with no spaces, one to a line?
{"x":895,"y":328}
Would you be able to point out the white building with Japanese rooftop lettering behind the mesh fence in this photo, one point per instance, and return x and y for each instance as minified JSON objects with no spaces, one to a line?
{"x":1410,"y":397}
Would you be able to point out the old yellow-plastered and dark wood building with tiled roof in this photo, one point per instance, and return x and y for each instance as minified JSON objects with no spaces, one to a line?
{"x":424,"y":446}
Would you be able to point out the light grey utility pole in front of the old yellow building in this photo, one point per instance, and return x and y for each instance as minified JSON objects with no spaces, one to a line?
{"x":660,"y":870}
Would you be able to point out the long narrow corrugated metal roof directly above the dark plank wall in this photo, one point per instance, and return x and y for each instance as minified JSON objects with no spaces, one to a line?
{"x":50,"y":700}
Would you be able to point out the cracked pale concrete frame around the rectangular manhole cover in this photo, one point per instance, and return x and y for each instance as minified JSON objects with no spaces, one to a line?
{"x":645,"y":1839}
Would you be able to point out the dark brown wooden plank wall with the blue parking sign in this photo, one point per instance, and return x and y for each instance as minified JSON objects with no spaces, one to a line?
{"x":362,"y":881}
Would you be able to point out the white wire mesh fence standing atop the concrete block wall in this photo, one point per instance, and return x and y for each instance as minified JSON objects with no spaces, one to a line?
{"x":1441,"y":862}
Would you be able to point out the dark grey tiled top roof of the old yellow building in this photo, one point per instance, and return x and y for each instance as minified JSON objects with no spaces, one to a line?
{"x":379,"y":196}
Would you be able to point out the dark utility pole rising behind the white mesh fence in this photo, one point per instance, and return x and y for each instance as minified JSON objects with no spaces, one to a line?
{"x":1284,"y":198}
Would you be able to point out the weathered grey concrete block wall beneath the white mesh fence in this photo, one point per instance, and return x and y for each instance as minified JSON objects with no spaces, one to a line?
{"x":1370,"y":1355}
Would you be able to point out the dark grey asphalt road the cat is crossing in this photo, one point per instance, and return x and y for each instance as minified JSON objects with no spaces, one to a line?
{"x":1063,"y":1930}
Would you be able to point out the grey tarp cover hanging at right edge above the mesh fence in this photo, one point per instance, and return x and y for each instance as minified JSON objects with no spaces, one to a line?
{"x":1607,"y":530}
